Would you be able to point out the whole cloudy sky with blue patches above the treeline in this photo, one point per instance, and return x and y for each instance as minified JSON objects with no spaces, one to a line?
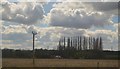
{"x":52,"y":20}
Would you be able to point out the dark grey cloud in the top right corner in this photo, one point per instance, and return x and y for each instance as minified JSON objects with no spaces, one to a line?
{"x":109,"y":8}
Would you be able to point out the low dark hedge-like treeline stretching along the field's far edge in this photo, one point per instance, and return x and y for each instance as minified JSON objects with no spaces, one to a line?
{"x":64,"y":54}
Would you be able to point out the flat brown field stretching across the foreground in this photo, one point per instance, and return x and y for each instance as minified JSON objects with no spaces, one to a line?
{"x":58,"y":63}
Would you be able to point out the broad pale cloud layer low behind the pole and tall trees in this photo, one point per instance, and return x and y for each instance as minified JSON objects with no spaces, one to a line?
{"x":50,"y":36}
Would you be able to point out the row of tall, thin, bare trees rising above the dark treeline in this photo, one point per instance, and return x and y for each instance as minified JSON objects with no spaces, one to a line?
{"x":80,"y":43}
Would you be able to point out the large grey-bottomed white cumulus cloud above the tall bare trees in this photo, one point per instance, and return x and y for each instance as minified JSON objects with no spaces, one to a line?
{"x":76,"y":15}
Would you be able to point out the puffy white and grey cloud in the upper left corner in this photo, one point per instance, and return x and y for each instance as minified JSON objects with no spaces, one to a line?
{"x":24,"y":13}
